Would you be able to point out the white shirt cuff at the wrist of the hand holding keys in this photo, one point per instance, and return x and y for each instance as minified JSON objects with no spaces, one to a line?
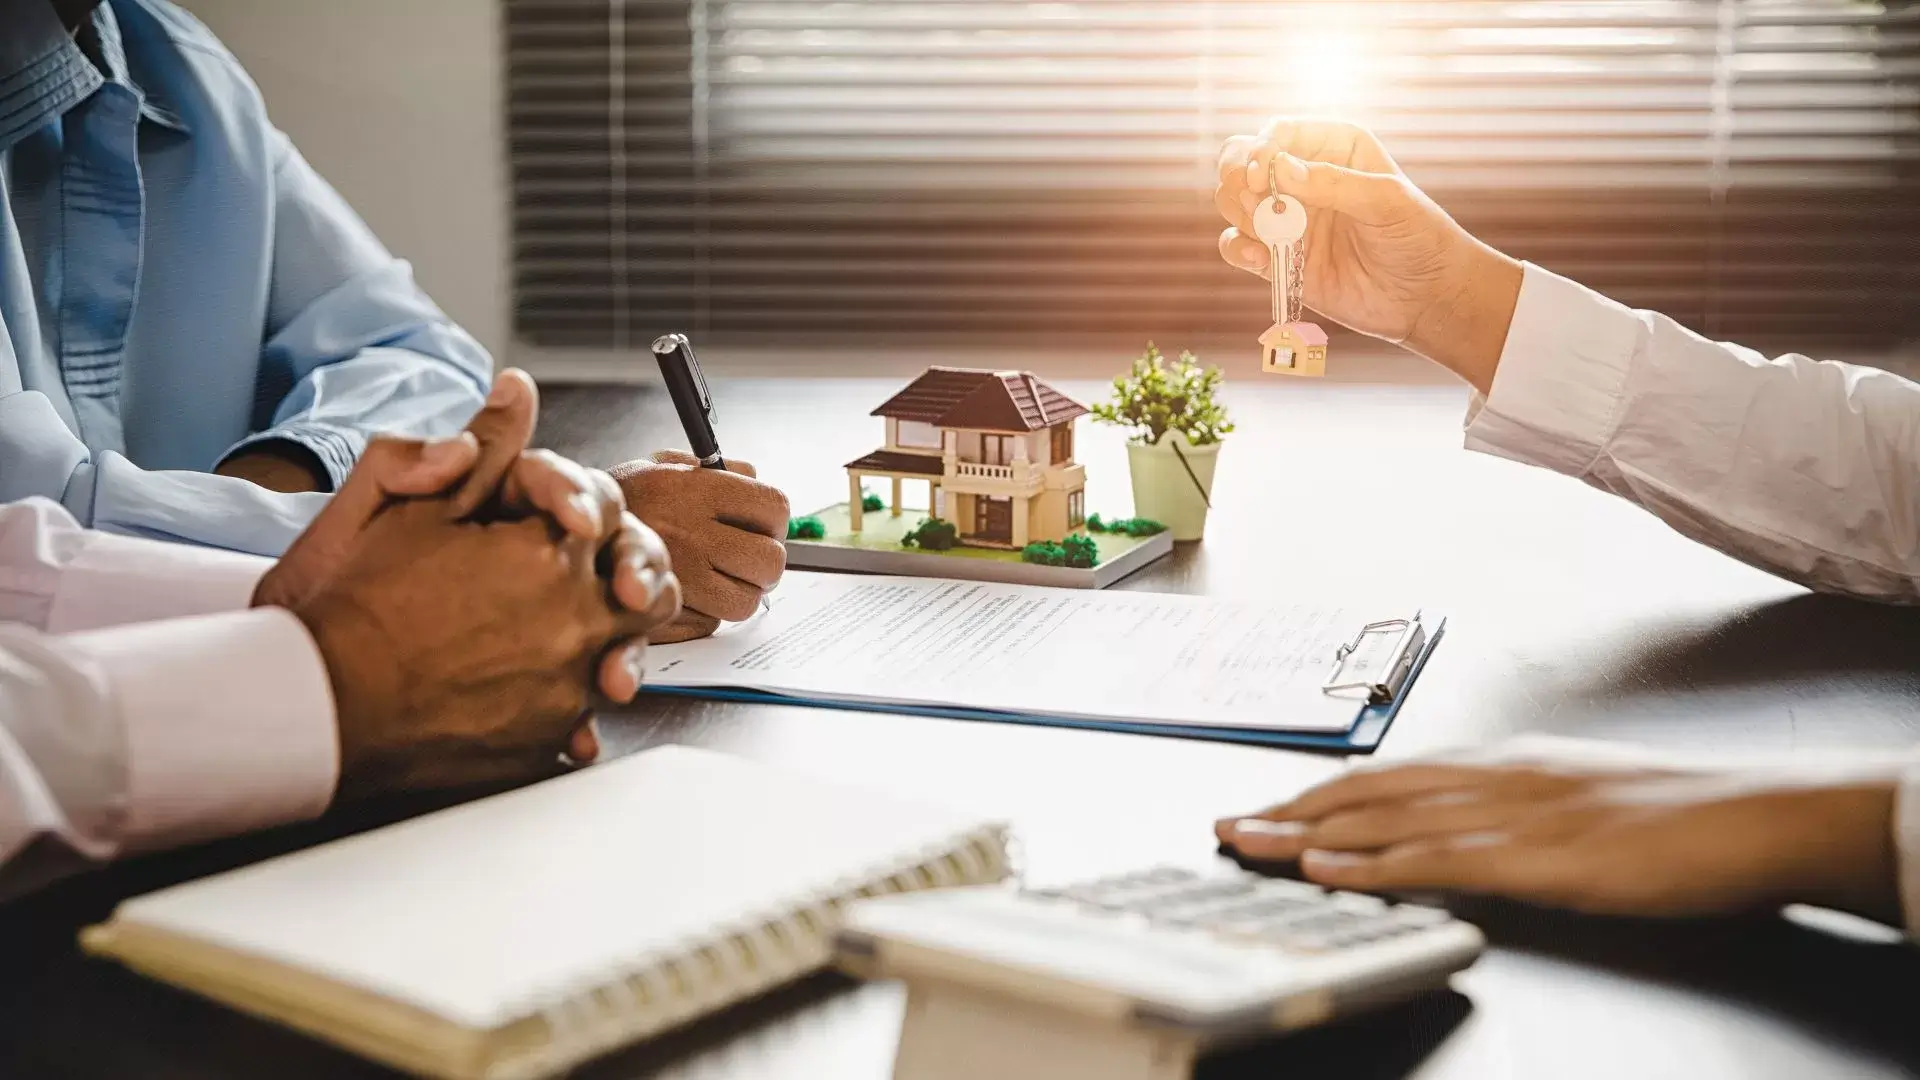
{"x":1562,"y":378}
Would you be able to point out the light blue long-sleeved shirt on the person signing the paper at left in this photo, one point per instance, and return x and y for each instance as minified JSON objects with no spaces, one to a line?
{"x":180,"y":285}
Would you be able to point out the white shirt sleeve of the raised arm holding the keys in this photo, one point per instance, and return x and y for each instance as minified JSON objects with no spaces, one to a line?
{"x":1810,"y":470}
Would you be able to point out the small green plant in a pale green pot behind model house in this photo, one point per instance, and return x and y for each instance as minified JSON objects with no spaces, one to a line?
{"x":1176,"y":428}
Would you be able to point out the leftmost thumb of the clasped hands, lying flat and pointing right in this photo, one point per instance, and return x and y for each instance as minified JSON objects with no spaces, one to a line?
{"x":391,"y":468}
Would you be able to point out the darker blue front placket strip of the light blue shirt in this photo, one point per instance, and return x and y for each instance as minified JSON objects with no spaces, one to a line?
{"x":101,"y":232}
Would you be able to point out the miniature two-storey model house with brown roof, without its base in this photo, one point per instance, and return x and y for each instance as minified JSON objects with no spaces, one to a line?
{"x":997,"y":451}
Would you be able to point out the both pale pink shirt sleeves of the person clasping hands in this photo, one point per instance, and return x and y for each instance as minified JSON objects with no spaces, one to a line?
{"x":203,"y":720}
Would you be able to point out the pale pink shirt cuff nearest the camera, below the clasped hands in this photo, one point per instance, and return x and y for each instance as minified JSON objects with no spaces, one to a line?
{"x":229,"y":724}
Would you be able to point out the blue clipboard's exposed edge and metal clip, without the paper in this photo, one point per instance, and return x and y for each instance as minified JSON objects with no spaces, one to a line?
{"x":1378,"y":668}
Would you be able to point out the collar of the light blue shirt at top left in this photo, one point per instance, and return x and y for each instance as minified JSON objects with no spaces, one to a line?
{"x":43,"y":70}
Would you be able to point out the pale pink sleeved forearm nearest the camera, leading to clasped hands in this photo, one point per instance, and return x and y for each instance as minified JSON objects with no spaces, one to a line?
{"x":156,"y":735}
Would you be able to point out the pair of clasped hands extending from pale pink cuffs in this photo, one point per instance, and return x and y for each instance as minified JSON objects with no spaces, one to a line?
{"x":468,"y":599}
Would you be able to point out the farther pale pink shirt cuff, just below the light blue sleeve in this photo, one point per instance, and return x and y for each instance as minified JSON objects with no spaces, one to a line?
{"x":124,"y":579}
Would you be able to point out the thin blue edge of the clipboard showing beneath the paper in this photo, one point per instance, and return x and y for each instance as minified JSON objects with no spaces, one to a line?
{"x":1370,"y":727}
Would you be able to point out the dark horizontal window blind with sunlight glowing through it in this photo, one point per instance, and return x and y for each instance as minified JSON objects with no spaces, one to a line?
{"x":957,"y":170}
